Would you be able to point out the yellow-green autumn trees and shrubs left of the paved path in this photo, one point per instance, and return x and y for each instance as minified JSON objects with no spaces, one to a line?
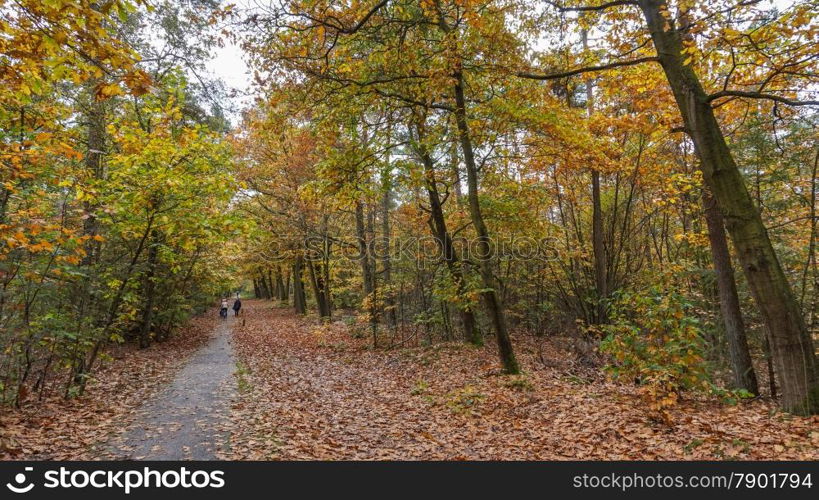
{"x":113,"y":195}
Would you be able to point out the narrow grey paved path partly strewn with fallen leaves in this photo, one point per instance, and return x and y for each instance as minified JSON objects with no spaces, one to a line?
{"x":184,"y":421}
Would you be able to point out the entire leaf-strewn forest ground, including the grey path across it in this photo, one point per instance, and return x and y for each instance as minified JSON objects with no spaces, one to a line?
{"x":291,"y":388}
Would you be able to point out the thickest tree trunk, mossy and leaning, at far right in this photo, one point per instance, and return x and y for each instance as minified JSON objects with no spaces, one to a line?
{"x":791,"y":346}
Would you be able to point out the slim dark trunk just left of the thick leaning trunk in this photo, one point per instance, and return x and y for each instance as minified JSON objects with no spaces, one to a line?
{"x":743,"y":369}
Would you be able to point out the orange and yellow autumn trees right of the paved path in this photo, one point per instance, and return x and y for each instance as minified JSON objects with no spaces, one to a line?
{"x":499,"y":126}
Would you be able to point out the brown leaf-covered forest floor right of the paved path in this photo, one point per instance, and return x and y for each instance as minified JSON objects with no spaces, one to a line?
{"x":314,"y":391}
